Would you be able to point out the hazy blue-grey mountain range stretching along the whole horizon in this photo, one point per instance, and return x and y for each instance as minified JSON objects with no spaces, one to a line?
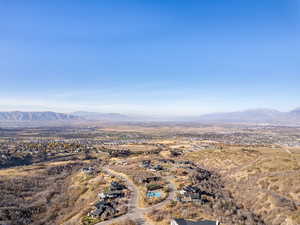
{"x":269,"y":116}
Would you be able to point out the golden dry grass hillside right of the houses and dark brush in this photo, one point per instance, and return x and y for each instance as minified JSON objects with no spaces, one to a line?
{"x":265,"y":180}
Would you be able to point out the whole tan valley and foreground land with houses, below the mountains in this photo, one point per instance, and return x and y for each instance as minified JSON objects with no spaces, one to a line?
{"x":150,"y":174}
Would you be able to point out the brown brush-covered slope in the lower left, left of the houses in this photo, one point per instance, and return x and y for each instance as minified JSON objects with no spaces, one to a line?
{"x":48,"y":193}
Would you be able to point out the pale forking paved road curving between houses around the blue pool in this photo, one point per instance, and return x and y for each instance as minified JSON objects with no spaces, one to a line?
{"x":135,"y":212}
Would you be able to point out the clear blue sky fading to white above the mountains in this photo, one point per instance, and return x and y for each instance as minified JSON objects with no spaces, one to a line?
{"x":170,"y":57}
